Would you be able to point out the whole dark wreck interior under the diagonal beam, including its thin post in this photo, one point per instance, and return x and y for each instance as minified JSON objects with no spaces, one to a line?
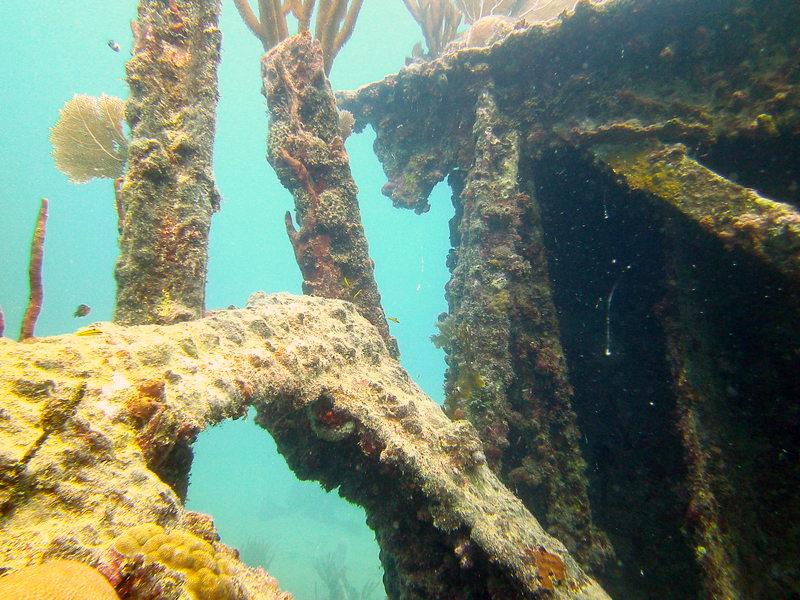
{"x":623,"y":266}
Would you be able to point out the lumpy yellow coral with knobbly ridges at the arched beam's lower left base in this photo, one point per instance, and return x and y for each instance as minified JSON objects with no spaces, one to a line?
{"x":207,"y":571}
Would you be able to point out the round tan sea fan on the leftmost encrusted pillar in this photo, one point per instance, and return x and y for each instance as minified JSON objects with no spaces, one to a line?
{"x":88,"y":140}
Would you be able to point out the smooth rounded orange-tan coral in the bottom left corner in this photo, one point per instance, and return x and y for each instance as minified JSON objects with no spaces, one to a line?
{"x":56,"y":580}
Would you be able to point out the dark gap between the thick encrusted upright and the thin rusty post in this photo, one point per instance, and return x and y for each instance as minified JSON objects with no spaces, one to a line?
{"x":598,"y":242}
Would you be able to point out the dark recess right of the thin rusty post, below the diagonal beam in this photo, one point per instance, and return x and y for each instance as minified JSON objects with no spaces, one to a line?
{"x":741,"y":355}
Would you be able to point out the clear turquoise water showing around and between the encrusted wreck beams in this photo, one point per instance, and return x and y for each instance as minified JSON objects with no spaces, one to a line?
{"x":54,"y":49}
